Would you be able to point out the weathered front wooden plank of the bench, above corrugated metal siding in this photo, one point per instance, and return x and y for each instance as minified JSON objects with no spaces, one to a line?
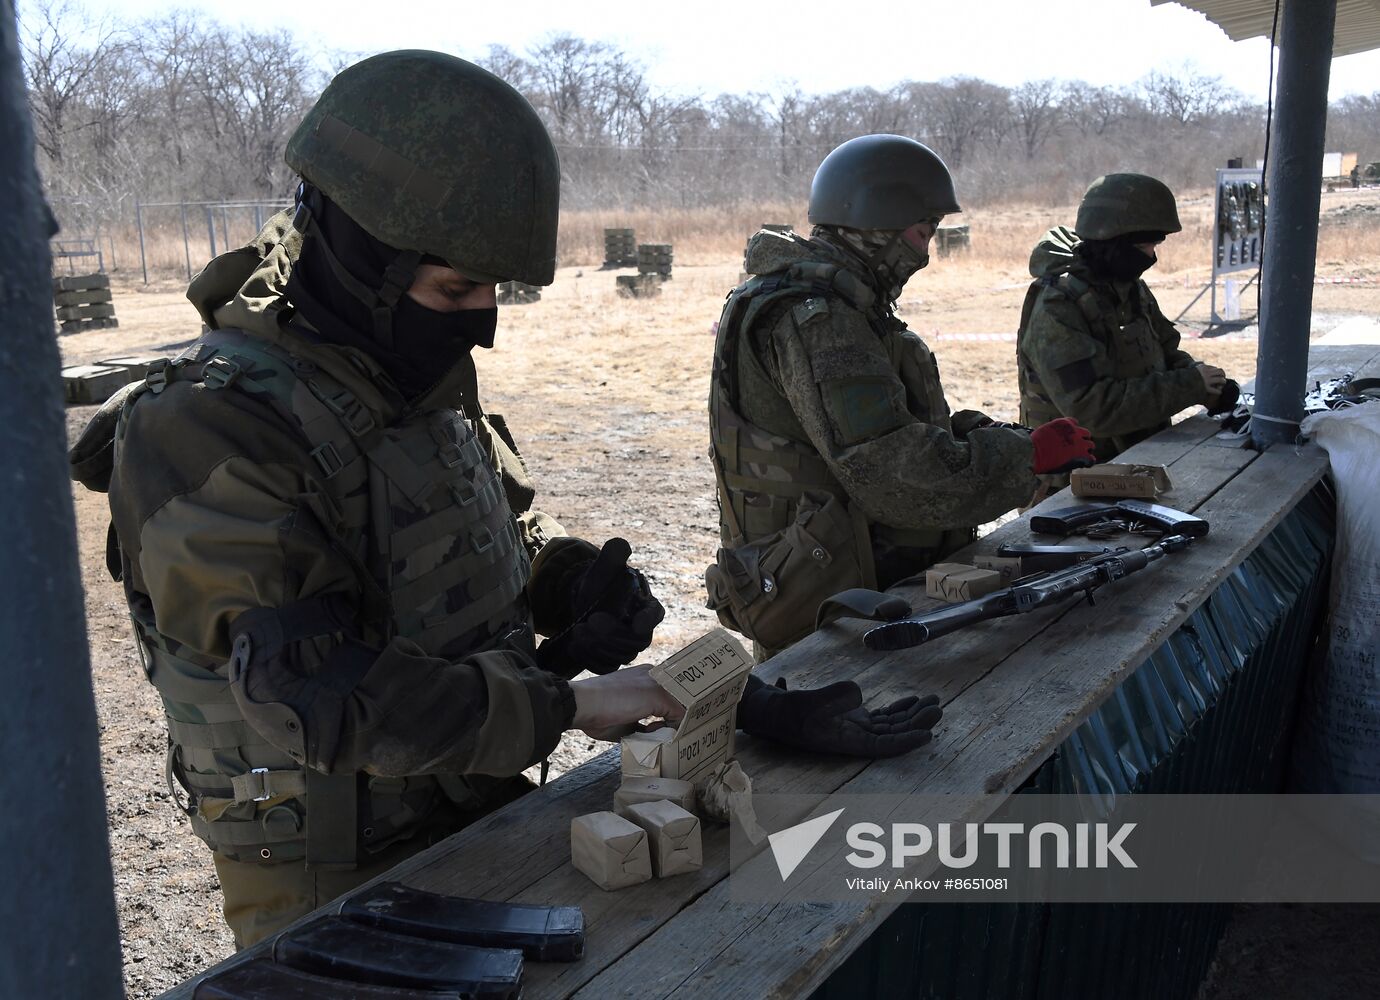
{"x":997,"y":734}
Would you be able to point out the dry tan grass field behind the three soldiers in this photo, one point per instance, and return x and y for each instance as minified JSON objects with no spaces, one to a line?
{"x":607,"y":399}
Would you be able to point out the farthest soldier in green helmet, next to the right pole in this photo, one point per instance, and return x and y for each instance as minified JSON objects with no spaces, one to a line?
{"x":1094,"y":344}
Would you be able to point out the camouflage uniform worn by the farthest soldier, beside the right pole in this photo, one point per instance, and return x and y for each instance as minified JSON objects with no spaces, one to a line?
{"x":1099,"y":351}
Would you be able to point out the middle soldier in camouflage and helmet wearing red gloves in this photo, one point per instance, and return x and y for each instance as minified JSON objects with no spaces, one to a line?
{"x":838,"y":461}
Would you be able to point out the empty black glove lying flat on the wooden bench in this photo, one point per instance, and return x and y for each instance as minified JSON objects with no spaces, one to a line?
{"x":831,"y":719}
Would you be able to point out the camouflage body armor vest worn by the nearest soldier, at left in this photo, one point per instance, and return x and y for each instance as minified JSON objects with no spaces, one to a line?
{"x":422,"y":515}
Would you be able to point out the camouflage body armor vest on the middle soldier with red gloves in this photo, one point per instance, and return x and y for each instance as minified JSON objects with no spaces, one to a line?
{"x":785,"y":518}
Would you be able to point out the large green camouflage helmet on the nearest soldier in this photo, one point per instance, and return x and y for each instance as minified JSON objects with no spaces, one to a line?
{"x":435,"y":155}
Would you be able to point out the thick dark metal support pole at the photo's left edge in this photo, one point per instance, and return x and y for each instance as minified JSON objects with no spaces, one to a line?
{"x":57,"y":904}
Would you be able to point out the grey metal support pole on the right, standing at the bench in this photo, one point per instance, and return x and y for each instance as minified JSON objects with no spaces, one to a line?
{"x":1297,"y":147}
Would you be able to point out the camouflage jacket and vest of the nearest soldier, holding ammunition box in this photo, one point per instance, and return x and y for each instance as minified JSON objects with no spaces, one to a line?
{"x":328,"y":586}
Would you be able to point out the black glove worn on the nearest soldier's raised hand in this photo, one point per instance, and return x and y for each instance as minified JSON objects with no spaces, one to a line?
{"x":605,"y":614}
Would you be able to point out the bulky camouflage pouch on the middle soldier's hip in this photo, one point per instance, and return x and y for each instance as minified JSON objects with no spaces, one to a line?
{"x":771,"y":590}
